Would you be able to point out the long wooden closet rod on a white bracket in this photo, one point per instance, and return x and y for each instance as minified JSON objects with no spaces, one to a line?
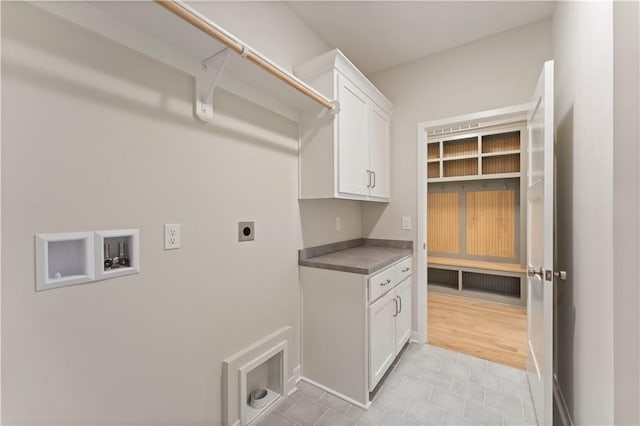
{"x":213,"y":31}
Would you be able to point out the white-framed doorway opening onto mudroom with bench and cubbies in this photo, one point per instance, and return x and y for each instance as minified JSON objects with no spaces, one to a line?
{"x":472,"y":293}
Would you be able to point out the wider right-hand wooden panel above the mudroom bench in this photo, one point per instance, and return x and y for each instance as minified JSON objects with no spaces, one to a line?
{"x":491,"y":223}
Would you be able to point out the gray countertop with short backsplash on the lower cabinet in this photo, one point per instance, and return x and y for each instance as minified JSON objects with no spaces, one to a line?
{"x":360,"y":256}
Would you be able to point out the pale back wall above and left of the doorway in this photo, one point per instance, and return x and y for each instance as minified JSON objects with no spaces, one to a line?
{"x":498,"y":71}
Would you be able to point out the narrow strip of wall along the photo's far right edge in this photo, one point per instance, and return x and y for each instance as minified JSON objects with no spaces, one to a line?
{"x":626,"y":156}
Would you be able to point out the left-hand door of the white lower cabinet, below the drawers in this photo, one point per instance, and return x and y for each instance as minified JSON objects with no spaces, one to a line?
{"x":382,"y":344}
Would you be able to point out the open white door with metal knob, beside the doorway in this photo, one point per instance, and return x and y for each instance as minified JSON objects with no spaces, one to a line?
{"x":540,"y":246}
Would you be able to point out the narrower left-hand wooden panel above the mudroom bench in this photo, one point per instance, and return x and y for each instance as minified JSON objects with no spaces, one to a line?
{"x":443,"y":222}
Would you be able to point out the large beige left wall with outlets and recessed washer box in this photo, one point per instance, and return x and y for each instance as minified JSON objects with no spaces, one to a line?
{"x":96,"y":136}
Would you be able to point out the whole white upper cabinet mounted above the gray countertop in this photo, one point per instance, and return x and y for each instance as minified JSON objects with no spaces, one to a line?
{"x":346,"y":154}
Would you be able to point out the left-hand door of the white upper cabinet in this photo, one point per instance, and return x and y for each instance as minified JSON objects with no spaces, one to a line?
{"x":353,"y":139}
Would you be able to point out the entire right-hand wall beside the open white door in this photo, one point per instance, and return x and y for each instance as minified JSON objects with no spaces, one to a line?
{"x":596,"y":51}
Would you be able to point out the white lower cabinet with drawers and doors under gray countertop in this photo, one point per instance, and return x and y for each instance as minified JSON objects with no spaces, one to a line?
{"x":353,"y":327}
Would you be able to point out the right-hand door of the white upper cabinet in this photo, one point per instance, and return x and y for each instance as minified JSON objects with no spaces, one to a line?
{"x":379,"y":154}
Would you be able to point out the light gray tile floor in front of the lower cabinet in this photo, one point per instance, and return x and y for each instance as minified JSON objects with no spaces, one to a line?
{"x":427,"y":386}
